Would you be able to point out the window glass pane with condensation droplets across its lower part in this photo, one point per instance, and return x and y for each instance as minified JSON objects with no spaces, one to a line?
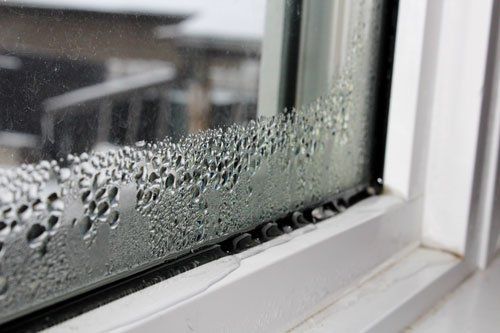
{"x":130,"y":133}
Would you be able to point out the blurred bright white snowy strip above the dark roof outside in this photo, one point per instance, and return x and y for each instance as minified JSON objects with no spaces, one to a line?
{"x":223,"y":19}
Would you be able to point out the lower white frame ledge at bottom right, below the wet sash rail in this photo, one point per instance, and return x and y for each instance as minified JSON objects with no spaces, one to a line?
{"x":392,"y":299}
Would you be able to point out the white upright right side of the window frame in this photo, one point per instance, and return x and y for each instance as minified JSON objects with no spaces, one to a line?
{"x":435,"y":134}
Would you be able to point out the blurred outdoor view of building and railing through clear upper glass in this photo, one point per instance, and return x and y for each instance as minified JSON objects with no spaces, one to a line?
{"x":80,"y":75}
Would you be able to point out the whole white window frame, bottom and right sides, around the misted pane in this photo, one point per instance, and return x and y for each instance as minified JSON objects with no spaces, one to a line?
{"x":436,"y":136}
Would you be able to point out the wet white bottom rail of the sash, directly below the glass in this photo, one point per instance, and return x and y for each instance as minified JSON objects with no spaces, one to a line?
{"x":279,"y":283}
